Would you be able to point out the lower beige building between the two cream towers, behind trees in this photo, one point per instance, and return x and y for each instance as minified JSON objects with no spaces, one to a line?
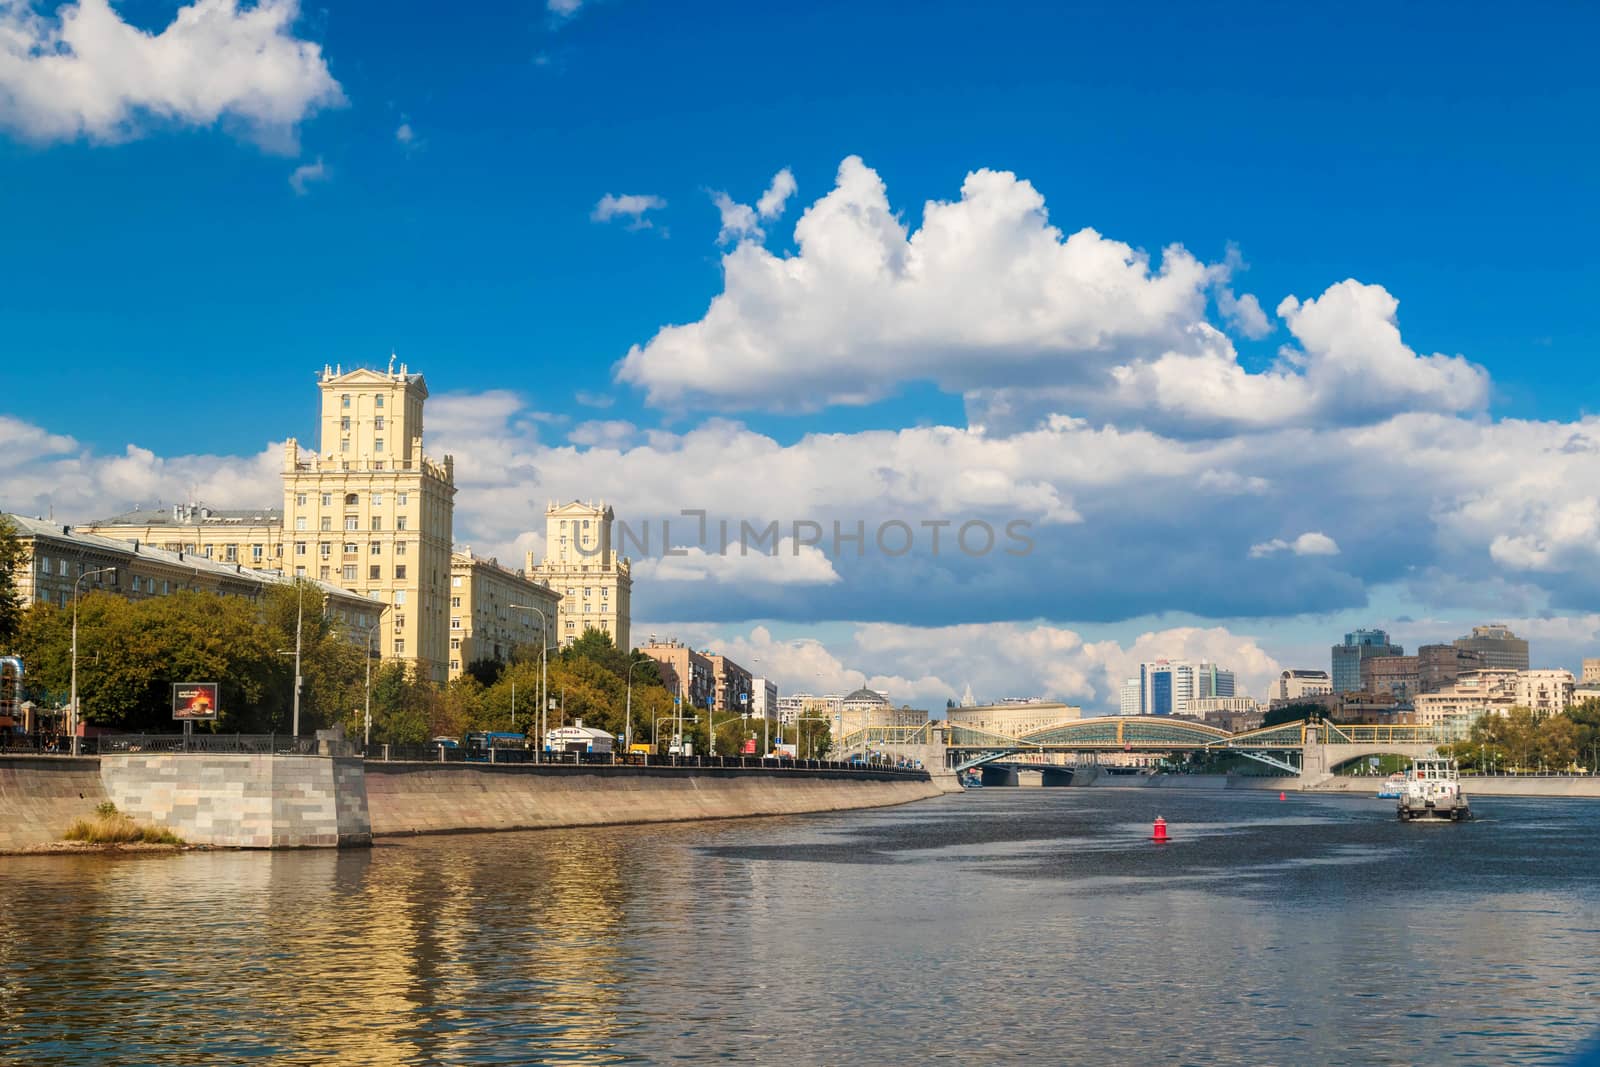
{"x":492,"y":612}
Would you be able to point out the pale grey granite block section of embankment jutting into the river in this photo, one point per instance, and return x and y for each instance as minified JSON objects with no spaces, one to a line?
{"x":244,"y":801}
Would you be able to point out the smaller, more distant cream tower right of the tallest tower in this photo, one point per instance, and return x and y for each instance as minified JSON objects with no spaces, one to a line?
{"x":583,"y":567}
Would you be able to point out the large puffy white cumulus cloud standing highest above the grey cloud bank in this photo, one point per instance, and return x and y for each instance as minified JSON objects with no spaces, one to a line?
{"x":991,"y":302}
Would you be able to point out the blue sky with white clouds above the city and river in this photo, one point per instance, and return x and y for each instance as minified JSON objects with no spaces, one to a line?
{"x":450,"y":174}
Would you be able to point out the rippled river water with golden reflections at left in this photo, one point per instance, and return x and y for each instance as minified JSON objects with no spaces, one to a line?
{"x":1002,"y":925}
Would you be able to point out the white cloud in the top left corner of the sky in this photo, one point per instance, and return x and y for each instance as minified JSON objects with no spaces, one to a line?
{"x":86,"y":73}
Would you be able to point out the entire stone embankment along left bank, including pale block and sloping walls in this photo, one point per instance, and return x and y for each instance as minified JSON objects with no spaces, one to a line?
{"x":321,"y":802}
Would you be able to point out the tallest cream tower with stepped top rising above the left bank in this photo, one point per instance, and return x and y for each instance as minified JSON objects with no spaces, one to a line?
{"x":372,"y":513}
